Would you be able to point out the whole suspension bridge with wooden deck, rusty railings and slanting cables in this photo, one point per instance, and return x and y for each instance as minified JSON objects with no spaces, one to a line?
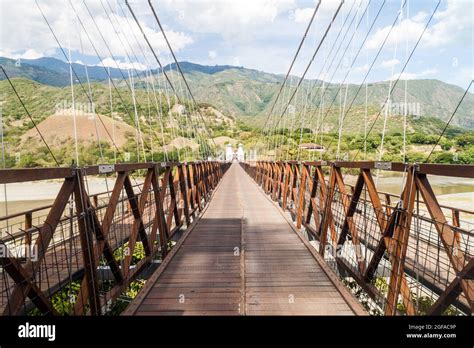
{"x":284,"y":234}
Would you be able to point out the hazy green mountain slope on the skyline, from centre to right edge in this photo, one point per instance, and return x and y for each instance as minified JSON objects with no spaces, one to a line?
{"x":246,"y":92}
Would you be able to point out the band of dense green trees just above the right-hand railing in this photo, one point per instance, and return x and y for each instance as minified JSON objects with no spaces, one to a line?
{"x":456,"y":146}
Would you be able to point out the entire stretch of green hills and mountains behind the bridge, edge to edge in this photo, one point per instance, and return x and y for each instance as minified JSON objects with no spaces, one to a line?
{"x":235,"y":102}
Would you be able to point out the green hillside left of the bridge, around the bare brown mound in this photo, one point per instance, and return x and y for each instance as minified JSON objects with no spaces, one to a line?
{"x":159,"y":125}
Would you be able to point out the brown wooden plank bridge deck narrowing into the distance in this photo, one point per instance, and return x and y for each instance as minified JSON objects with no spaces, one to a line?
{"x":243,"y":258}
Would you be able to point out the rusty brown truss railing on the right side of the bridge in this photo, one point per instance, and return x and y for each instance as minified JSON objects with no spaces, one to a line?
{"x":400,"y":254}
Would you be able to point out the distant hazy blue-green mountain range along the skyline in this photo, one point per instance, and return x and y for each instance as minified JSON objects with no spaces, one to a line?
{"x":248,"y":93}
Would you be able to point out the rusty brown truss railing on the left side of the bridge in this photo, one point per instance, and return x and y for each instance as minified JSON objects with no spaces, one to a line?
{"x":81,"y":253}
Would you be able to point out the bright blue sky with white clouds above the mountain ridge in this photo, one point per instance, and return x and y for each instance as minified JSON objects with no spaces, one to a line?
{"x":257,"y":34}
